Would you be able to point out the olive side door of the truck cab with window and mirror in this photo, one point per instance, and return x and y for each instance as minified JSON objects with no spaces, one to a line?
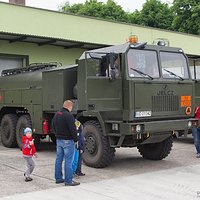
{"x":104,"y":83}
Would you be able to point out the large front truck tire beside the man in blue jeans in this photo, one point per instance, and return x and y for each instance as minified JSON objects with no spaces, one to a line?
{"x":98,"y":152}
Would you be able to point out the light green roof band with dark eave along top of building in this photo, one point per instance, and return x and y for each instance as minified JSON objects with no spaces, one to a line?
{"x":50,"y":27}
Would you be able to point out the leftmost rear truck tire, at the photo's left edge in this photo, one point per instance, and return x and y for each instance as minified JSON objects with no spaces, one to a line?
{"x":8,"y":127}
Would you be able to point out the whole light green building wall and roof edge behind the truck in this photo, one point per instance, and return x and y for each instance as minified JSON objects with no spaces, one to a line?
{"x":32,"y":35}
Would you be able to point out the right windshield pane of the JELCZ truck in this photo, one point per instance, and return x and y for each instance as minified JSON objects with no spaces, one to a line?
{"x":174,"y":65}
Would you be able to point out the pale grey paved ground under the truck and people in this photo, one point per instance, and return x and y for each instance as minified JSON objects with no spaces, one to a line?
{"x":129,"y":177}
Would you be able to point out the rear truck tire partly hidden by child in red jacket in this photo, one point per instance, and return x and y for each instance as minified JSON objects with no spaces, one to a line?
{"x":23,"y":122}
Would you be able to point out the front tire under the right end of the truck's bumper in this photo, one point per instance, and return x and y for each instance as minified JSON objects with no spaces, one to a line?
{"x":156,"y":151}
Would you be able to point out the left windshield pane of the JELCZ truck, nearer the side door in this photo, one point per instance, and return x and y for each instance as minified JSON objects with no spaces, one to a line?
{"x":142,"y":63}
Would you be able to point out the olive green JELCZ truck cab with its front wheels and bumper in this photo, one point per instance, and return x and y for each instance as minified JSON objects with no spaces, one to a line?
{"x":133,"y":95}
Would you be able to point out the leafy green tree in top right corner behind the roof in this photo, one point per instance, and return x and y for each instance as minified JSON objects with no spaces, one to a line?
{"x":187,"y":16}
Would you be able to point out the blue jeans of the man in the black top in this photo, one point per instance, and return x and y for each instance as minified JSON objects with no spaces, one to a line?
{"x":65,"y":150}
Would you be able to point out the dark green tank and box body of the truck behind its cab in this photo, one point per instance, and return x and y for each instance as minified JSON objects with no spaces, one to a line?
{"x":38,"y":84}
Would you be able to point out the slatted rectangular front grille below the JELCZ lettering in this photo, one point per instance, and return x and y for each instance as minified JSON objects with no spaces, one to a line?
{"x":165,"y":103}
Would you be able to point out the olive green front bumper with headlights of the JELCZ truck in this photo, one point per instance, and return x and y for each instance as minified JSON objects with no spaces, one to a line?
{"x":151,"y":132}
